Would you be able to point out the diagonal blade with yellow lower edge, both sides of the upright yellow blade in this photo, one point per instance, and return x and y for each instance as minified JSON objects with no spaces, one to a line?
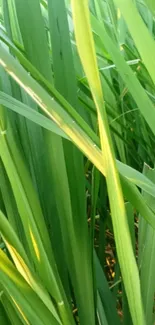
{"x":77,"y":135}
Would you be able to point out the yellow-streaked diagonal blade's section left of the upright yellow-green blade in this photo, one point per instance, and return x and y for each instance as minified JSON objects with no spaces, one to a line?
{"x":70,"y":128}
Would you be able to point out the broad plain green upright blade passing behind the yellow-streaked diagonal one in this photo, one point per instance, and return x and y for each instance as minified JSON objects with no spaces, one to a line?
{"x":65,"y":83}
